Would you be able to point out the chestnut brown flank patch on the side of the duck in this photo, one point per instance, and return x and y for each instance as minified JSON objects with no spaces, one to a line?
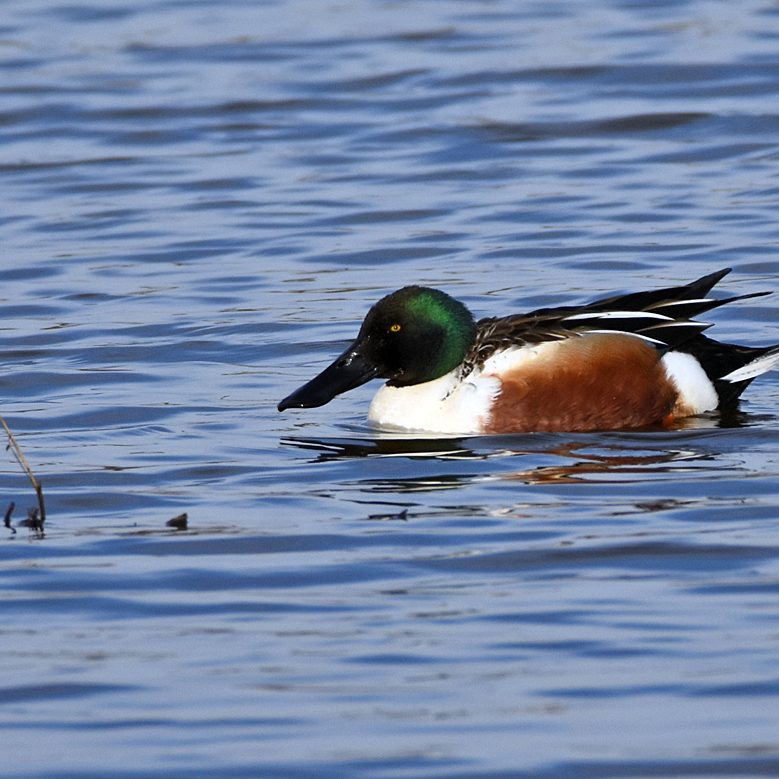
{"x":589,"y":382}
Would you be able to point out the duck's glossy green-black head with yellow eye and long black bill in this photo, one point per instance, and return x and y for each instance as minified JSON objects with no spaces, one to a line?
{"x":414,"y":335}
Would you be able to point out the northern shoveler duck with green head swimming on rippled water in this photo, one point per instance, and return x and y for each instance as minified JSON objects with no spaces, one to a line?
{"x":627,"y":361}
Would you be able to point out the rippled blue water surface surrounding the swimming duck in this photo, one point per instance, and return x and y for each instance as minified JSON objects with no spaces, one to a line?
{"x":199,"y":202}
